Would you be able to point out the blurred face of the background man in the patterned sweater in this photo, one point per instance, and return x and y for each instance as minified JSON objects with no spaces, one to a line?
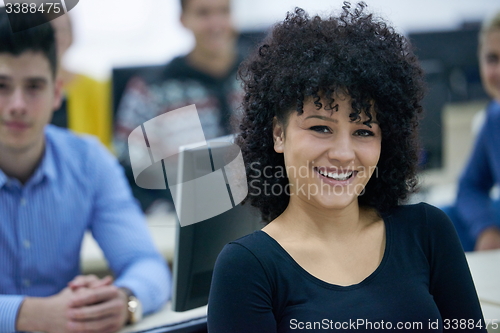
{"x":210,"y":21}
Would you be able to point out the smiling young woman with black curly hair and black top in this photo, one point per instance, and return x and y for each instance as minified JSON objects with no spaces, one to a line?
{"x":329,"y":138}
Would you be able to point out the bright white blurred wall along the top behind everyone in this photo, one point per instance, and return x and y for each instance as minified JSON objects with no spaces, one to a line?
{"x":135,"y":32}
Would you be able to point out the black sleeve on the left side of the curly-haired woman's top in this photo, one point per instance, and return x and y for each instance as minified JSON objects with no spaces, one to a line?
{"x":240,"y":295}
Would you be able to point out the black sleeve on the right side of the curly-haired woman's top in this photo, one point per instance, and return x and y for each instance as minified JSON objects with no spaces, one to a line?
{"x":451,"y":282}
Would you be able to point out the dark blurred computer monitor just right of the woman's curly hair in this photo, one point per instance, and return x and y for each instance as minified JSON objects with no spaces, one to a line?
{"x":449,"y":60}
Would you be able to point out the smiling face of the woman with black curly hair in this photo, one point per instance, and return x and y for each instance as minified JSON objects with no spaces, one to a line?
{"x":329,"y":158}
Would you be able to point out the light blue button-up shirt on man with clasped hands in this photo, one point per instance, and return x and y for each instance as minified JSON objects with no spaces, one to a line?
{"x":78,"y":186}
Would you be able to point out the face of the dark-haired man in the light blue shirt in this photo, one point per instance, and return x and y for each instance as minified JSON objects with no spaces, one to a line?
{"x":28,"y":96}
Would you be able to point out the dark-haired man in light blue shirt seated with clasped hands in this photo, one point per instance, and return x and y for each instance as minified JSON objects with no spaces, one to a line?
{"x":53,"y":187}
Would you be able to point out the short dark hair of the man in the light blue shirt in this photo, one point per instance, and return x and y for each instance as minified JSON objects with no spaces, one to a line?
{"x":38,"y":39}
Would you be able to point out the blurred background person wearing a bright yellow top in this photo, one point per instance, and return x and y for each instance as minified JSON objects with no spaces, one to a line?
{"x":86,"y":102}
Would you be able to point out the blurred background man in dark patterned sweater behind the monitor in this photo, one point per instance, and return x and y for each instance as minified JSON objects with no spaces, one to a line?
{"x":206,"y":77}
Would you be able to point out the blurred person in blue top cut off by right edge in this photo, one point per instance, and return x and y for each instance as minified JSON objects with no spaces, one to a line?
{"x":475,"y":215}
